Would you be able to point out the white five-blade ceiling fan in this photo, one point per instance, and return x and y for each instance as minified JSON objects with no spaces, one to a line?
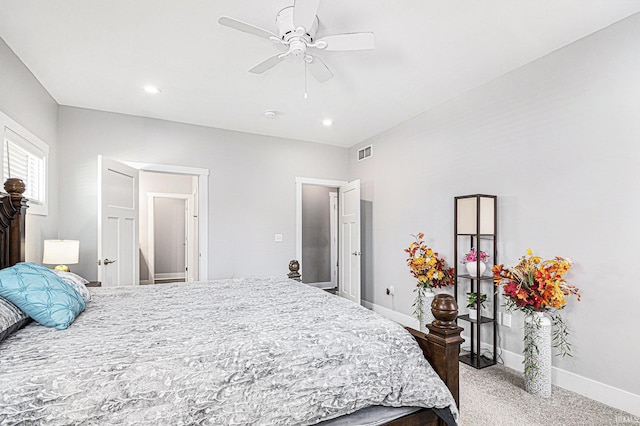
{"x":297,"y":26}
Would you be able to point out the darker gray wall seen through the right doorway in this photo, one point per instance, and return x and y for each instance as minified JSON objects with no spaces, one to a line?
{"x":316,"y":234}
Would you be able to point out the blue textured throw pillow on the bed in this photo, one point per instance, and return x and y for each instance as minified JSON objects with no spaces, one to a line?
{"x":41,"y":294}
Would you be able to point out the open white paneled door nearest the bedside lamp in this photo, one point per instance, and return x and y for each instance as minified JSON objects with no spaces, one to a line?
{"x":118,"y":246}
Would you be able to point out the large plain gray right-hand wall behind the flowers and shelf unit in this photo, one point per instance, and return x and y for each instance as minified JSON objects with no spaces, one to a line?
{"x":557,"y":142}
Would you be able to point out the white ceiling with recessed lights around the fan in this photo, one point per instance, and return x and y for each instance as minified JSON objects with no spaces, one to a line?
{"x":99,"y":54}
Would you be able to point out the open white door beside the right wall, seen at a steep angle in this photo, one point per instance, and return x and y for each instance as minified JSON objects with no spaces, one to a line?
{"x":350,"y":255}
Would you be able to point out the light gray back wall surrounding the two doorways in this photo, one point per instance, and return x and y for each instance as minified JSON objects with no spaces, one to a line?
{"x":251,"y":185}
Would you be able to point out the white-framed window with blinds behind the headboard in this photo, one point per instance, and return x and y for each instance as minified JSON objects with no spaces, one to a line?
{"x":24,"y":156}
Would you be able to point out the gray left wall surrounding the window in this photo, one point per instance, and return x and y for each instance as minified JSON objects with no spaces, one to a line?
{"x":26,"y":101}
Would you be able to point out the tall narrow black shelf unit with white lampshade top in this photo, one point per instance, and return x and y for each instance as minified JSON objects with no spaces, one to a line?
{"x":475,"y":225}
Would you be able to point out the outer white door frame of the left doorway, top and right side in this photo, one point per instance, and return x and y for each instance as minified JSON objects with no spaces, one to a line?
{"x":202,"y":201}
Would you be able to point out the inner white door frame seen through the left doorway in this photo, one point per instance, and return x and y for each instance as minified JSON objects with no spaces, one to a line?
{"x":188,"y":199}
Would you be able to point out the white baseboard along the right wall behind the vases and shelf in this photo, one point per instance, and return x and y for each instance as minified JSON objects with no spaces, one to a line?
{"x":601,"y":392}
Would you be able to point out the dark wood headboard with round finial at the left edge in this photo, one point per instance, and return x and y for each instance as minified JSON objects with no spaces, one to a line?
{"x":13,"y":207}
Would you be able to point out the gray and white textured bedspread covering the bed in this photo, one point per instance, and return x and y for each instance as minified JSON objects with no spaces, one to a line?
{"x":230,"y":352}
